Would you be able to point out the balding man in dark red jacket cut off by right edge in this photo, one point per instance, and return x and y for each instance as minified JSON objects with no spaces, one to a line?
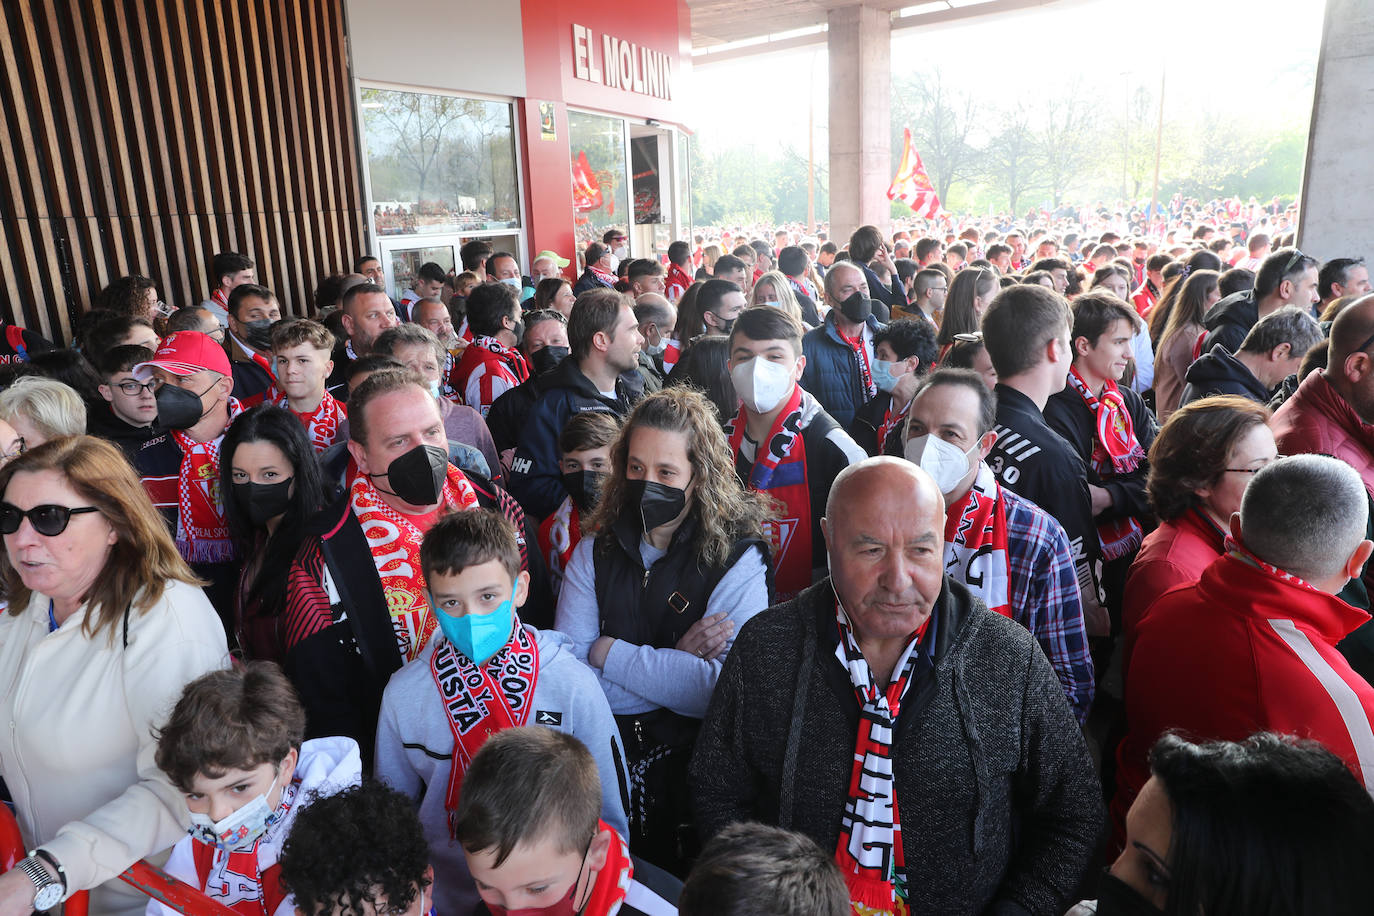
{"x":1333,"y":410}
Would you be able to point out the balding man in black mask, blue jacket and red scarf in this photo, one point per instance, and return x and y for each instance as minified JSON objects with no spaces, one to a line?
{"x":840,"y":352}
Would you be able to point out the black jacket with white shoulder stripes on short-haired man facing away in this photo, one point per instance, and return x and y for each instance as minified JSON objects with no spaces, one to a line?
{"x":1035,"y":462}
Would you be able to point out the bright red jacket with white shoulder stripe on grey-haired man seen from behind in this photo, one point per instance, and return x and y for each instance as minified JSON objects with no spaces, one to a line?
{"x":1244,"y":652}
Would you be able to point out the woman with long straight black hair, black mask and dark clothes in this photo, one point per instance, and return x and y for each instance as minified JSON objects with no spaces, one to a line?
{"x":273,"y":484}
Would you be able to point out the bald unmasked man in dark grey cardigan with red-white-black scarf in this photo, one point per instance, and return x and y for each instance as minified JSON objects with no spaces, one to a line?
{"x":892,"y":675}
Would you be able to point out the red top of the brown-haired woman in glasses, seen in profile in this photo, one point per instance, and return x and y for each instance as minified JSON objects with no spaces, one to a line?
{"x":1174,"y":554}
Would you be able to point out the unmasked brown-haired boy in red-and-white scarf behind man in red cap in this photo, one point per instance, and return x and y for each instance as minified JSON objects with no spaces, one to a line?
{"x":303,"y":354}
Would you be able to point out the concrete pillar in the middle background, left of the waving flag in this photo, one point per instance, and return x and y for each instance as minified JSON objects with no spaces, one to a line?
{"x":861,"y":137}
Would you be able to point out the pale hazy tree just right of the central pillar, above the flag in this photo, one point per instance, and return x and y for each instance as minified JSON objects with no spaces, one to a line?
{"x":942,"y":122}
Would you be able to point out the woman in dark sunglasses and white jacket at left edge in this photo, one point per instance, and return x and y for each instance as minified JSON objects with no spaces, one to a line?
{"x":106,"y":626}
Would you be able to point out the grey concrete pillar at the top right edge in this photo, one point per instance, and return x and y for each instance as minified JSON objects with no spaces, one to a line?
{"x":1338,"y":208}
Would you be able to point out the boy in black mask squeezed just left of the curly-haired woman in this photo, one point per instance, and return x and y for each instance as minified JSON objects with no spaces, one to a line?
{"x":585,"y":459}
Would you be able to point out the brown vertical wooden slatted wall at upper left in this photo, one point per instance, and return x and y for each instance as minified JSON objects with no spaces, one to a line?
{"x":142,"y":137}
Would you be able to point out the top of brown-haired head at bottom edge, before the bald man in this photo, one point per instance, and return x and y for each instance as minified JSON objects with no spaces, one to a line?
{"x":758,"y":870}
